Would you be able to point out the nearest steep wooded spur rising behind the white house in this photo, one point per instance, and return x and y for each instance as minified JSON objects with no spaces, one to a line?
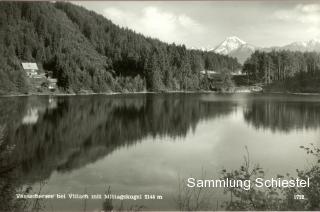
{"x":38,"y":32}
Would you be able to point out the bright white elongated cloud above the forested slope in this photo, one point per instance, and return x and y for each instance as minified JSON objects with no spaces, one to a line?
{"x":156,"y":23}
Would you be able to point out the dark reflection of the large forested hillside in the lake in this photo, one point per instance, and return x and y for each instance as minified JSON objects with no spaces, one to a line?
{"x":80,"y":130}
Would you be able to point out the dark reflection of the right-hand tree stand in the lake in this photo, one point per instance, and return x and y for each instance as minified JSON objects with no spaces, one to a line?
{"x":283,"y":115}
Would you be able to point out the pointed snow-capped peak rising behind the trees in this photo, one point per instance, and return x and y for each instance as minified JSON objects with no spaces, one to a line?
{"x":235,"y":47}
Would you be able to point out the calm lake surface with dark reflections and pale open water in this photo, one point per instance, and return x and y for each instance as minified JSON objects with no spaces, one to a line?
{"x":143,"y":144}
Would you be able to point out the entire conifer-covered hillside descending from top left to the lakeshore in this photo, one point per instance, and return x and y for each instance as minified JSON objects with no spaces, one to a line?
{"x":86,"y":51}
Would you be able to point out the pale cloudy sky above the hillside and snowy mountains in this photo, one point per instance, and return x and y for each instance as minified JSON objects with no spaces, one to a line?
{"x":205,"y":24}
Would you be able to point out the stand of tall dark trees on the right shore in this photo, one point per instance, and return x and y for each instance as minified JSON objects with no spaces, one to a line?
{"x":285,"y":70}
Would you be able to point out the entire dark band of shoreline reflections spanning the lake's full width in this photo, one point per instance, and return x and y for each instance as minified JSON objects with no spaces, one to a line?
{"x":66,"y":133}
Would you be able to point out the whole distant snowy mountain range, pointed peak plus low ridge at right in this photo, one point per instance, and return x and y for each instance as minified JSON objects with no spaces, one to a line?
{"x":235,"y":47}
